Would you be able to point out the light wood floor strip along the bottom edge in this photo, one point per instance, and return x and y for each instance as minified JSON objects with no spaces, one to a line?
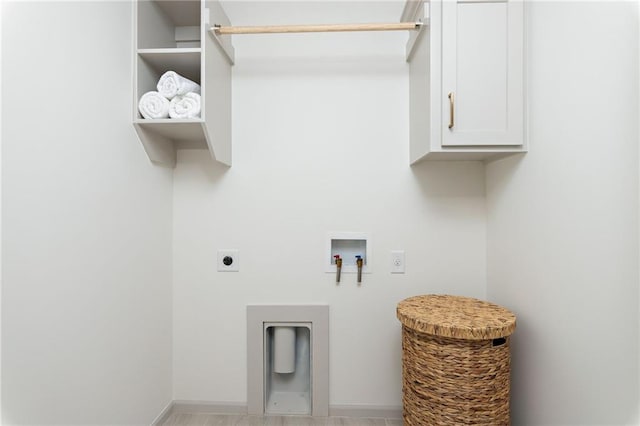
{"x":186,"y":419}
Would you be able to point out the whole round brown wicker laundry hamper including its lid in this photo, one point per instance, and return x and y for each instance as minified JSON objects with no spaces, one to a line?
{"x":455,"y":361}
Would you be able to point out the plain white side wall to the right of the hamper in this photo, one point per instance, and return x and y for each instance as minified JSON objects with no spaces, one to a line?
{"x":563,"y":220}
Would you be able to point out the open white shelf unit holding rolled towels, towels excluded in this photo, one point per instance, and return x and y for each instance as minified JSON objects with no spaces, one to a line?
{"x":173,"y":35}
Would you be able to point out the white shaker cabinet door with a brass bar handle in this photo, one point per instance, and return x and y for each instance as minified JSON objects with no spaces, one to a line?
{"x":482,"y":73}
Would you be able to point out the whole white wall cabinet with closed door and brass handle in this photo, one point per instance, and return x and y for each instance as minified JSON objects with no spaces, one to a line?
{"x":466,"y":79}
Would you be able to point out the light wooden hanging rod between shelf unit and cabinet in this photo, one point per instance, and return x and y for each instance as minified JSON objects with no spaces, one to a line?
{"x":276,"y":29}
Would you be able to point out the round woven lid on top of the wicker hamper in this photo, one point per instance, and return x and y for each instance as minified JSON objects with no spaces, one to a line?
{"x":455,"y":316}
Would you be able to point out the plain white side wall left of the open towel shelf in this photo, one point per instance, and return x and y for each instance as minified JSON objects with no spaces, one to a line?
{"x":86,"y":248}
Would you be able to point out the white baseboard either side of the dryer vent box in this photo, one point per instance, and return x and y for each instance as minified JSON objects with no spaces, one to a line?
{"x":213,"y":407}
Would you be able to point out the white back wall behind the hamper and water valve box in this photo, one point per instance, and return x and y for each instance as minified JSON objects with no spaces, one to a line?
{"x":320,"y":144}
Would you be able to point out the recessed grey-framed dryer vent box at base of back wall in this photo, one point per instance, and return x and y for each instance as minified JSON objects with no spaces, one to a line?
{"x":288,"y":359}
